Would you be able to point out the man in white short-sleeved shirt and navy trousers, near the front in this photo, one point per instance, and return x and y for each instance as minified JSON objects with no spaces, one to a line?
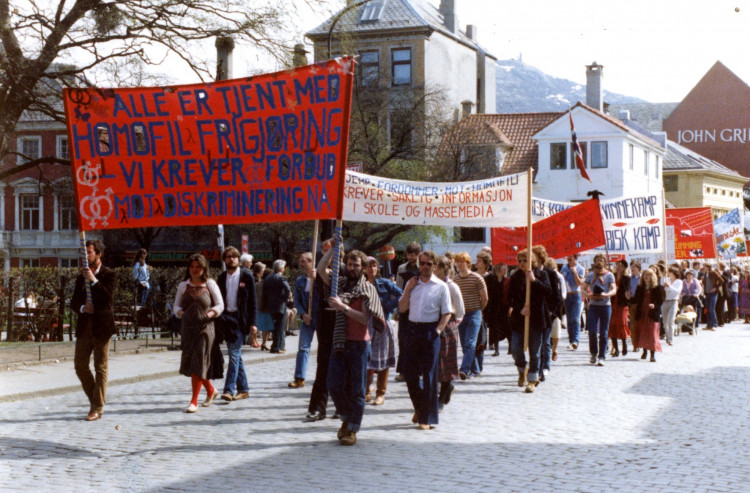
{"x":428,"y":301}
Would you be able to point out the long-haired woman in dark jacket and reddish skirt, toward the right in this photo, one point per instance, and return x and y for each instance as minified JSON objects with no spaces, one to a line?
{"x":647,"y":301}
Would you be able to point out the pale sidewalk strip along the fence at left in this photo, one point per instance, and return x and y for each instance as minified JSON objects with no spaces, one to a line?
{"x":50,"y":378}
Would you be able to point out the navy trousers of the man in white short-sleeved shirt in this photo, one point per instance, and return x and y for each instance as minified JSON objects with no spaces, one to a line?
{"x":421,"y":353}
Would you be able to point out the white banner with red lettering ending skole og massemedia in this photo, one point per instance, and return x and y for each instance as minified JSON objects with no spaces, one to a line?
{"x":497,"y":201}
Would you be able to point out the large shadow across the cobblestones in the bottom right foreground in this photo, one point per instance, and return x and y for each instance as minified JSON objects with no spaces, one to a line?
{"x":673,"y":454}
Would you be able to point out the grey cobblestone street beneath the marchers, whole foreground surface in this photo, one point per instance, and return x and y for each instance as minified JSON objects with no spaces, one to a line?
{"x":680,"y":424}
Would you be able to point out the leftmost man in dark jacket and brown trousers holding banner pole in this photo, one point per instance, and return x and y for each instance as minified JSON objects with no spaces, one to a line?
{"x":95,"y":326}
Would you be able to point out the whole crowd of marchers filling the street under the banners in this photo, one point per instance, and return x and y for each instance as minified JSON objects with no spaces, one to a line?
{"x":413,"y":322}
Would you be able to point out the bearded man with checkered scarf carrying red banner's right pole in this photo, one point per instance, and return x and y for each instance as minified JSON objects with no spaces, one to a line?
{"x":357,"y":305}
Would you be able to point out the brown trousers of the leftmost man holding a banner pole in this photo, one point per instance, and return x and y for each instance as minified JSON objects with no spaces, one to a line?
{"x":94,"y":387}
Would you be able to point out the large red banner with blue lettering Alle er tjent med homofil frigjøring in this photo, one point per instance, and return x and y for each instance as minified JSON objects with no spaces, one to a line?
{"x":266,"y":148}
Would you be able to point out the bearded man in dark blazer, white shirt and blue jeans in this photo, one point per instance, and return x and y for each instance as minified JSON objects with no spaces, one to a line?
{"x":237,"y":321}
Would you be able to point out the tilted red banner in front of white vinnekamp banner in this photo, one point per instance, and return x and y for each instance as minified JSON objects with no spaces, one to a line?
{"x":568,"y":232}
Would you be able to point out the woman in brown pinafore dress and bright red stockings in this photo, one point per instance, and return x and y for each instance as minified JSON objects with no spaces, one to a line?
{"x":197,"y":304}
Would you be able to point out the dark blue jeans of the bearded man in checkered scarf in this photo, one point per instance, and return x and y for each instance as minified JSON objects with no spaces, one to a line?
{"x":347,"y":379}
